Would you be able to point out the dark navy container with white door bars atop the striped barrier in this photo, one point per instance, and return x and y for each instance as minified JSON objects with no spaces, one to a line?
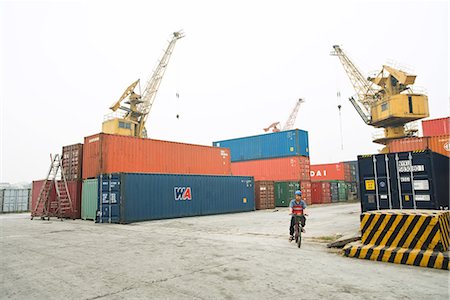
{"x":404,"y":180}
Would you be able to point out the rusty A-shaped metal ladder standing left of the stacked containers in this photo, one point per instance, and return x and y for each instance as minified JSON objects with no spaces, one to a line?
{"x":47,"y":207}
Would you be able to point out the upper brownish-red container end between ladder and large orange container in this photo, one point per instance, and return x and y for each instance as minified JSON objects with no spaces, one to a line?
{"x":72,"y":161}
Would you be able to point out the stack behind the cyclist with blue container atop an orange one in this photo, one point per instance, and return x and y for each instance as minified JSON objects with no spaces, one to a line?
{"x":279,"y":157}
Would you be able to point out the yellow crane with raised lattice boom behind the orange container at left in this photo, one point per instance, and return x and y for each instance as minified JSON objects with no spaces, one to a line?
{"x":131,"y":121}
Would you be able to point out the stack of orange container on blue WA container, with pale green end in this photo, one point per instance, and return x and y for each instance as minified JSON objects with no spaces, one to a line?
{"x":128,"y":179}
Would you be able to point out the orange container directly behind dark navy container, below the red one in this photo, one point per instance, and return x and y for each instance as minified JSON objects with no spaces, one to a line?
{"x":438,"y":144}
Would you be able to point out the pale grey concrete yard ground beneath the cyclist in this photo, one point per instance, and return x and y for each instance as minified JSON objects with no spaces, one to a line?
{"x":232,"y":256}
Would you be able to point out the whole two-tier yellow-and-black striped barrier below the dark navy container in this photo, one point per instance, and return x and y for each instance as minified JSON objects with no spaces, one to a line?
{"x":419,"y":238}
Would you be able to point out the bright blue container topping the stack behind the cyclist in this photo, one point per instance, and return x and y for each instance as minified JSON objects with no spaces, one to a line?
{"x":271,"y":145}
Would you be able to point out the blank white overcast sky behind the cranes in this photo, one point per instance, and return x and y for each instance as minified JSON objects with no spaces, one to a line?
{"x":241,"y":66}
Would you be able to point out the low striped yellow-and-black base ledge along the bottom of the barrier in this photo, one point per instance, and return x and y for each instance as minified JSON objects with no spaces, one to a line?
{"x":398,"y":255}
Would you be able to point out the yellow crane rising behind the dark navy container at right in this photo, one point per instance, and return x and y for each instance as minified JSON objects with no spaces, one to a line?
{"x":385,"y":100}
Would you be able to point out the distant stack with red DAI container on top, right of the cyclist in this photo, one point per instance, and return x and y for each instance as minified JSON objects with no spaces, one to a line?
{"x":334,"y":182}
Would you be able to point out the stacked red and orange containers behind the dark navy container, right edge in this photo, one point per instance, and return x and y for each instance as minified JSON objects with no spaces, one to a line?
{"x":436,"y":137}
